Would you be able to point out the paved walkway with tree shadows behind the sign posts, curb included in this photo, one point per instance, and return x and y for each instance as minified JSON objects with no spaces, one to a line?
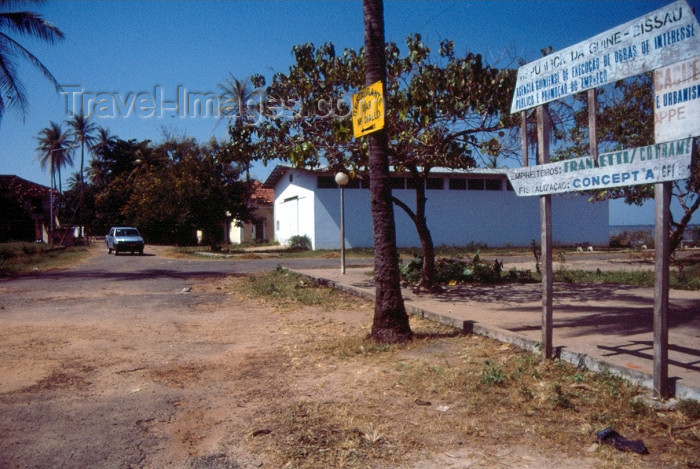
{"x":595,"y":325}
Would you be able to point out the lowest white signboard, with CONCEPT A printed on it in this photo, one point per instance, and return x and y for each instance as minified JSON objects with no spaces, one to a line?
{"x":662,"y":162}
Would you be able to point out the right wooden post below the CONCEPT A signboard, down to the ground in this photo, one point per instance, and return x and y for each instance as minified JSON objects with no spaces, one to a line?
{"x":662,"y":196}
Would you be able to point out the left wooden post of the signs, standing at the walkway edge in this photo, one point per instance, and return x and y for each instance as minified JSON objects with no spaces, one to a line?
{"x":545,"y":236}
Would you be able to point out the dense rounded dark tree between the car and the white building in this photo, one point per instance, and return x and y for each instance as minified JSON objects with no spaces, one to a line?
{"x":181,"y":186}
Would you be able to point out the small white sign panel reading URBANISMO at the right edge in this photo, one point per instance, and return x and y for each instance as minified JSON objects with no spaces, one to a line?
{"x":677,"y":100}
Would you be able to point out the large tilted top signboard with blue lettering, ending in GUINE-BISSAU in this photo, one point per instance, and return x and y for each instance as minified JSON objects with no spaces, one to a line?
{"x":663,"y":37}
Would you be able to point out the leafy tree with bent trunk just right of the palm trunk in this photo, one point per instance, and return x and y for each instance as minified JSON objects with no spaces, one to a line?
{"x":447,"y":113}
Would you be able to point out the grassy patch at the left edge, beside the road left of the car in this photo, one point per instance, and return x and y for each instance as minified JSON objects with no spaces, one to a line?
{"x":22,"y":258}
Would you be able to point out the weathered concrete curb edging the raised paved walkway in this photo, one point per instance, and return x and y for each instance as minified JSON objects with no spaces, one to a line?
{"x":578,"y":359}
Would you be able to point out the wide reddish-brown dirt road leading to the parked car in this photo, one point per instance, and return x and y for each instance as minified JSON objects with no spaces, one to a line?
{"x":128,"y":361}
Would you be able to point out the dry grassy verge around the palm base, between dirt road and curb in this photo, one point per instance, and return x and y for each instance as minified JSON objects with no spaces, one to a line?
{"x":443,"y":391}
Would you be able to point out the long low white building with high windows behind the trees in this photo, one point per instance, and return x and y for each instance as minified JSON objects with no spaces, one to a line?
{"x":463,"y":206}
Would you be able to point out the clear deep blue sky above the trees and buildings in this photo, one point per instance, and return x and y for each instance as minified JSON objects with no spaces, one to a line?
{"x":162,"y":48}
